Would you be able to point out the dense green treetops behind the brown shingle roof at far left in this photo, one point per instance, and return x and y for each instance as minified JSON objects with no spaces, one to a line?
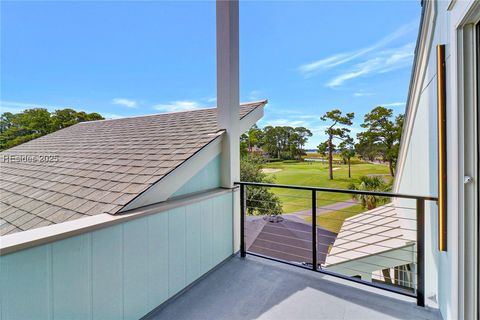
{"x":33,"y":123}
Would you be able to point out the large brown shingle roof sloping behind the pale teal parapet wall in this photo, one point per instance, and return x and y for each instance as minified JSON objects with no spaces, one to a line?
{"x":102,"y":165}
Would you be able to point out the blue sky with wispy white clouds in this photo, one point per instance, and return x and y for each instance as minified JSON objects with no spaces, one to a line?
{"x":133,"y":58}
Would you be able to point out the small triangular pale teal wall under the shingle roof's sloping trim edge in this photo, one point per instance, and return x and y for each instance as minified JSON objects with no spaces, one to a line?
{"x":206,"y":178}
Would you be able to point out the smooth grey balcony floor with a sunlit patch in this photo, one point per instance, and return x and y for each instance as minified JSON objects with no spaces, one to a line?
{"x":255,"y":288}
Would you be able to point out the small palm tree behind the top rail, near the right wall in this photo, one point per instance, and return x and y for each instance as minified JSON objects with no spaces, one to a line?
{"x":371,"y":184}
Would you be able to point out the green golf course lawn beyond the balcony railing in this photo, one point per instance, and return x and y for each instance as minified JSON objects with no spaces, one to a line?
{"x":316,"y":174}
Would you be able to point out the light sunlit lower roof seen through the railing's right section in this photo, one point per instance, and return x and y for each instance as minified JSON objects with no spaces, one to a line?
{"x":370,"y":233}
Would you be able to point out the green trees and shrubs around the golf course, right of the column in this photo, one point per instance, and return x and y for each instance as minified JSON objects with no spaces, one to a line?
{"x":380,"y":139}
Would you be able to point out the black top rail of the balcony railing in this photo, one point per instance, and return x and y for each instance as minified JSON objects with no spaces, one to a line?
{"x":333,"y":190}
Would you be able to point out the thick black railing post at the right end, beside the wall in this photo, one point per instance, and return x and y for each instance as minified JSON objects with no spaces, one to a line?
{"x":421,"y":252}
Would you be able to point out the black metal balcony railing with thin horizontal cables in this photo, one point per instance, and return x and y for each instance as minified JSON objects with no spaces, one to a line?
{"x":329,"y":231}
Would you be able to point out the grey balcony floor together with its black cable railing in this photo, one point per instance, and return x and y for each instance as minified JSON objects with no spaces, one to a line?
{"x":290,"y":268}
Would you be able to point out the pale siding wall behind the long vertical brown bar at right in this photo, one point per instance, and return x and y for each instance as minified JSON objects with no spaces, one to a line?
{"x":419,"y":175}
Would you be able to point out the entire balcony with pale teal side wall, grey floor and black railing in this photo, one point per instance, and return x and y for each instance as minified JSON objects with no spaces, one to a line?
{"x":178,"y":257}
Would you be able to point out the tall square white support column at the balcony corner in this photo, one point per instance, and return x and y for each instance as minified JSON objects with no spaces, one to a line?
{"x":228,"y":100}
